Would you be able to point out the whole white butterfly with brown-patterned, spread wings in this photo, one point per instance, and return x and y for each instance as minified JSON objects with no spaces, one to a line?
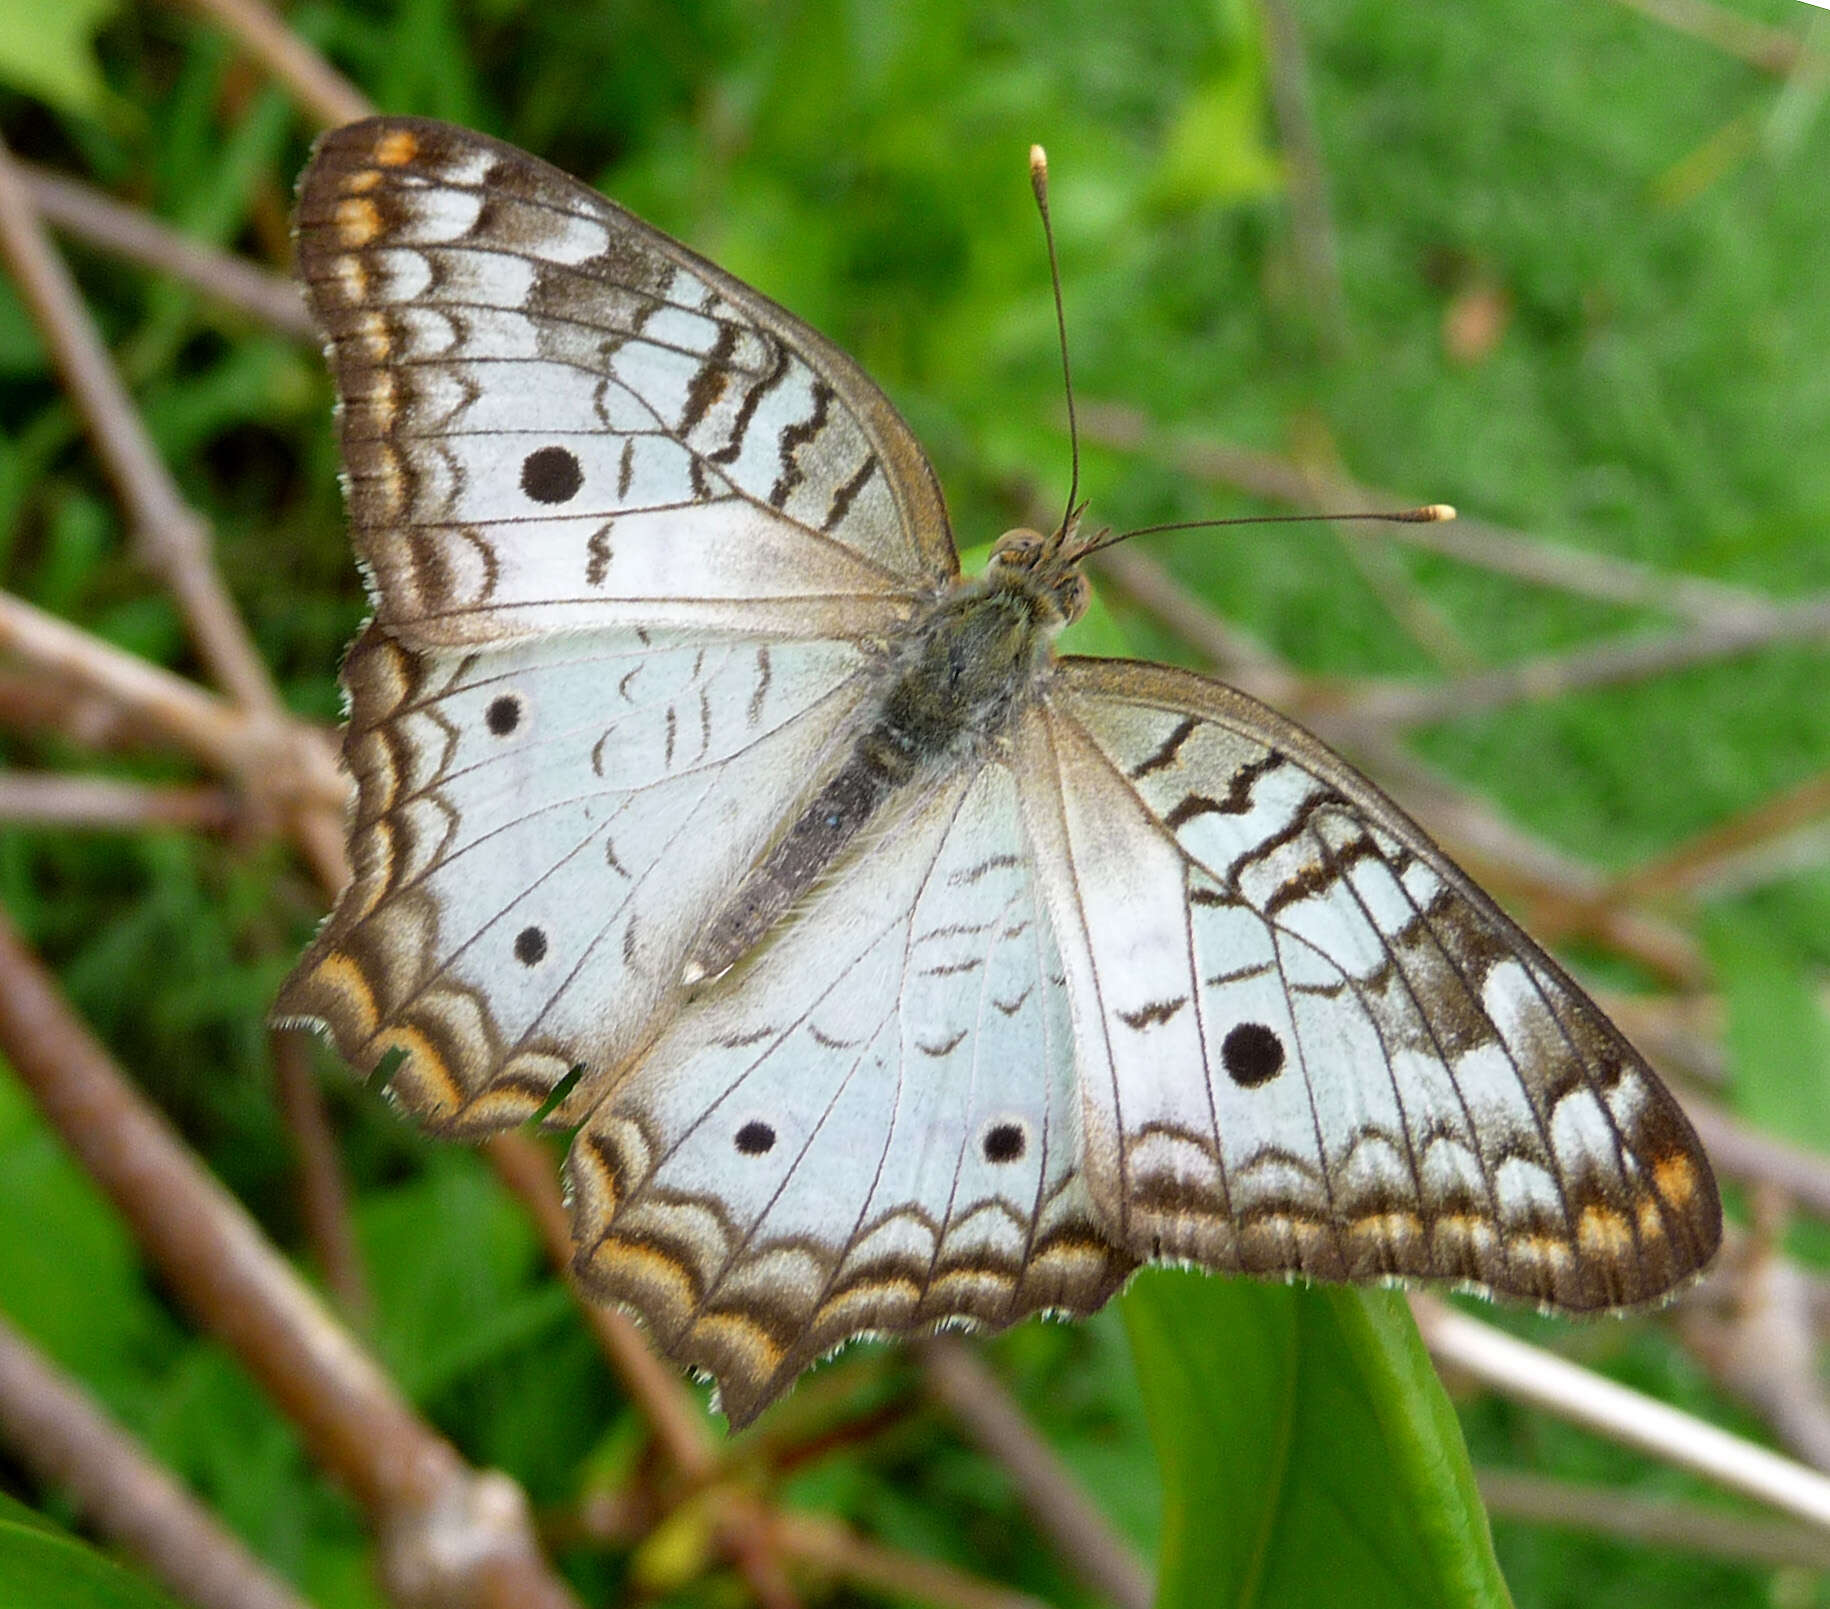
{"x":892,"y":969}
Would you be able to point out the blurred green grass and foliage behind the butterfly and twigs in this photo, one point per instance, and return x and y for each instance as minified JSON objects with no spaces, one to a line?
{"x":1644,"y":217}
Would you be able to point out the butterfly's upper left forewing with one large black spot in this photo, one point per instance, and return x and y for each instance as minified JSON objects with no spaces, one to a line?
{"x":557,"y":418}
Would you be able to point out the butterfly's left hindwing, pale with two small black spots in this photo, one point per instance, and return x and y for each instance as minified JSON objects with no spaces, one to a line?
{"x":541,"y":832}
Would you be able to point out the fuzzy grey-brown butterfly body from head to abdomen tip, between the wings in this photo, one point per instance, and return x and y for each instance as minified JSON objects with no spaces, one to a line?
{"x":951,"y":689}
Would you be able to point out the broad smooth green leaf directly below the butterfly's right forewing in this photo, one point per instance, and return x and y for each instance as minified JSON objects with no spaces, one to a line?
{"x":1308,"y":1451}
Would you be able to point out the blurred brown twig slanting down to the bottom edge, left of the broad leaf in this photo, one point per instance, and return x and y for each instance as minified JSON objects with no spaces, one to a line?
{"x":1082,"y":1537}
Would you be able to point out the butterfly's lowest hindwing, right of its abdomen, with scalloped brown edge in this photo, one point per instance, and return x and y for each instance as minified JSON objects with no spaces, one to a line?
{"x":870,"y":1125}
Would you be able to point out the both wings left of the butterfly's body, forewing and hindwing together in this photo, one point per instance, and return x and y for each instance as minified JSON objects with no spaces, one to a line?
{"x":625,"y":524}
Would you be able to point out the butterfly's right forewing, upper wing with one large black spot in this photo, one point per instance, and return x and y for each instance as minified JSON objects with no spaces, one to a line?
{"x":1309,"y":1044}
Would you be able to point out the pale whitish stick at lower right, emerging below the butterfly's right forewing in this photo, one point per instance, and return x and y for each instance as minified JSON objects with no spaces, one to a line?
{"x":1569,"y":1392}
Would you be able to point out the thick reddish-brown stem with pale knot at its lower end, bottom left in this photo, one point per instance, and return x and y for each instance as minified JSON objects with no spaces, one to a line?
{"x":449,"y":1535}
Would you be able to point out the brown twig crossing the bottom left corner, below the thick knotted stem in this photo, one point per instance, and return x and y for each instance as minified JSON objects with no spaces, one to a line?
{"x":58,"y":1432}
